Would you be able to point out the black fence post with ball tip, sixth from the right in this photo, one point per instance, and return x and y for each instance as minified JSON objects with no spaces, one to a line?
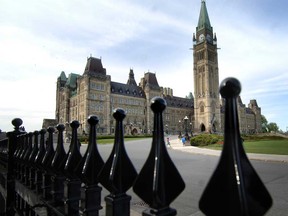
{"x":57,"y":165}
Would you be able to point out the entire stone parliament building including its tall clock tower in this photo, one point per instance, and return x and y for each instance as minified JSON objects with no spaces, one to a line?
{"x":93,"y":92}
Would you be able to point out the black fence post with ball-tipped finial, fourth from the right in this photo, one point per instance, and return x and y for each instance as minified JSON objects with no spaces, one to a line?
{"x":91,"y":192}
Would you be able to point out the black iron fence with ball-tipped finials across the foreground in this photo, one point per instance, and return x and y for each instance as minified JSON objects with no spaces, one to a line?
{"x":38,"y":179}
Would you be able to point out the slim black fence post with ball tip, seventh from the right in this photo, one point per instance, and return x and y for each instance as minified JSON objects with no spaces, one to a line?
{"x":46,"y":163}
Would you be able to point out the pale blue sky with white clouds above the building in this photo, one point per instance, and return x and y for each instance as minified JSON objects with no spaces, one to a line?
{"x":39,"y":39}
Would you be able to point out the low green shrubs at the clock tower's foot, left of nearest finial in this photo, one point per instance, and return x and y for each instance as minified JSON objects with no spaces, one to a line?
{"x":205,"y":139}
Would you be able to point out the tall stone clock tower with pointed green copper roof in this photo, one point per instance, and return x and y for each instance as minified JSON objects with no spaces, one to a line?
{"x":206,"y":76}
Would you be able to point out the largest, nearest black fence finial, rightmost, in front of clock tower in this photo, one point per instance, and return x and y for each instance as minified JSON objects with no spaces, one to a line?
{"x":234,"y":188}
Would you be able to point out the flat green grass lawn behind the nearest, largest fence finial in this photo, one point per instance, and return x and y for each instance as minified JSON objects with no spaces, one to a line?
{"x":279,"y":147}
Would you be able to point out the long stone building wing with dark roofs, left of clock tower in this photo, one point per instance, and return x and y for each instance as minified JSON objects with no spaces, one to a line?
{"x":93,"y":93}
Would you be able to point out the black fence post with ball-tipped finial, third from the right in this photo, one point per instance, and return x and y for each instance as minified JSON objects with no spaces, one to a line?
{"x":118,"y":173}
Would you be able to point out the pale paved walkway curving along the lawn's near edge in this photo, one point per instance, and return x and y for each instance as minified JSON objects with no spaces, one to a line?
{"x":176,"y":144}
